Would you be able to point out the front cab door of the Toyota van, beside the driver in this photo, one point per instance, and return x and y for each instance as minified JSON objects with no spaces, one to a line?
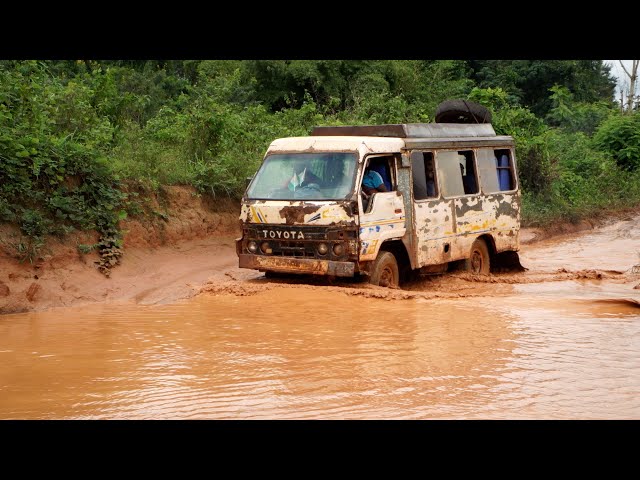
{"x":382,"y":216}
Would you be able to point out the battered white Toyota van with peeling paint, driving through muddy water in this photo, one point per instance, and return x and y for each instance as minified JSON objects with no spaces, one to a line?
{"x":452,"y":195}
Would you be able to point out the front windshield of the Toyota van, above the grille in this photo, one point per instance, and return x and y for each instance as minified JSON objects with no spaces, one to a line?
{"x":309,"y":176}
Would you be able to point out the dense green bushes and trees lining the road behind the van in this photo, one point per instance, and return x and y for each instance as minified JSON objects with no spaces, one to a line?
{"x":80,"y":140}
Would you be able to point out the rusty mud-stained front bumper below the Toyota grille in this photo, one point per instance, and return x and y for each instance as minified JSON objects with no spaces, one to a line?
{"x":297,"y":265}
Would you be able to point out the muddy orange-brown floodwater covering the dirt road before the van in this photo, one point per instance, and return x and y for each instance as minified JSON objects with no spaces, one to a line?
{"x":560,"y":341}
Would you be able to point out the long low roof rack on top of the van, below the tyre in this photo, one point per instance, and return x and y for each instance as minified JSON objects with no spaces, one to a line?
{"x":408,"y":130}
